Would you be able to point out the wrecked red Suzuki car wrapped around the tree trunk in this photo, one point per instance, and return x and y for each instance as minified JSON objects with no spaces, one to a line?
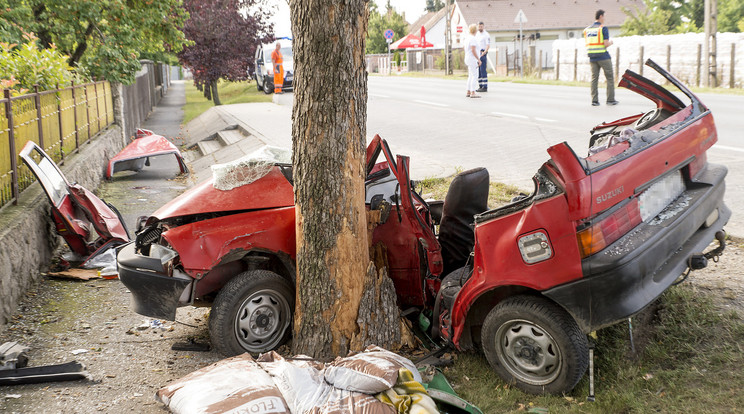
{"x":600,"y":238}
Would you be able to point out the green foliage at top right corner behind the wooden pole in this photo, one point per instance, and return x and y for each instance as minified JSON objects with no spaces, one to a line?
{"x":671,"y":16}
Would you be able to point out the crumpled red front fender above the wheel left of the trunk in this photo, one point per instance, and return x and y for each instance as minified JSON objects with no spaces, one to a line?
{"x":202,"y":245}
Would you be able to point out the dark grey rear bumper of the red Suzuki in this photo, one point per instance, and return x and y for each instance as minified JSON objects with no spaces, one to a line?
{"x":632,"y":272}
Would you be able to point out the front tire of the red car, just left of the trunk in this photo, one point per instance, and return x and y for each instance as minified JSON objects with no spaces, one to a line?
{"x":252,"y":313}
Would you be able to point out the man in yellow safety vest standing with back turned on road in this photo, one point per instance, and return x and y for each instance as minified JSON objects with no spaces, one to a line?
{"x":597,"y":39}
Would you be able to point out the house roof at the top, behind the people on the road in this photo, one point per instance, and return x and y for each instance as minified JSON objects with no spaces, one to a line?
{"x":498,"y":15}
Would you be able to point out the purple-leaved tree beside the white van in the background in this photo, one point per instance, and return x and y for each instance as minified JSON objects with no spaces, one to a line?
{"x":225,"y":34}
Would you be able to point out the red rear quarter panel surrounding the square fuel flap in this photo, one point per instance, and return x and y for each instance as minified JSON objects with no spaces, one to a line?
{"x":498,"y":261}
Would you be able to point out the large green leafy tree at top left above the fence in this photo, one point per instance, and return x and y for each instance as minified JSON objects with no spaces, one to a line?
{"x":104,"y":37}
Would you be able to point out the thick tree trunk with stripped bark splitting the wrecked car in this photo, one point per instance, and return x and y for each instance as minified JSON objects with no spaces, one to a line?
{"x":328,"y":139}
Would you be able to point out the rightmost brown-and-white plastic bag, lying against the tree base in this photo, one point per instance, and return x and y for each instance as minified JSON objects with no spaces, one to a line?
{"x":372,"y":371}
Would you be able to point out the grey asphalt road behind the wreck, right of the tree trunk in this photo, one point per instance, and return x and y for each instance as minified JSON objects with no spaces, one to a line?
{"x":509,"y":129}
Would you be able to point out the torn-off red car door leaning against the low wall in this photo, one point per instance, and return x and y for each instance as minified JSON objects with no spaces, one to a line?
{"x":88,"y":224}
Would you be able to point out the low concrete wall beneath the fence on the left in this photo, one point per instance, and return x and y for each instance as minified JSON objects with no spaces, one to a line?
{"x":27,"y":235}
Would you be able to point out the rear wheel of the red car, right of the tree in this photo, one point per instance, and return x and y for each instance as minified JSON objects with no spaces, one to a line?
{"x":534,"y":344}
